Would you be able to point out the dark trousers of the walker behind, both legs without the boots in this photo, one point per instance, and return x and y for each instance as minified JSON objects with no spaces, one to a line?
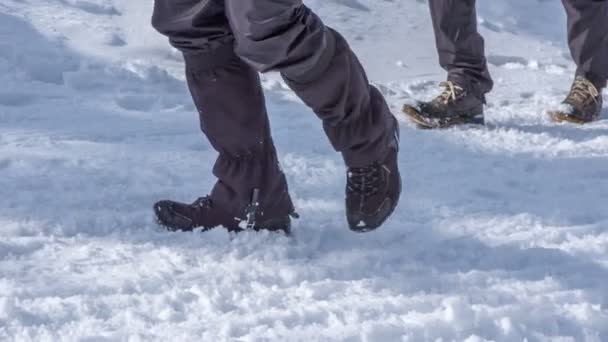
{"x":461,"y":47}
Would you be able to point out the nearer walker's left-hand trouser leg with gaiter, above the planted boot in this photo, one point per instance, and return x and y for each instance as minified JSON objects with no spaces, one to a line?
{"x":231,"y":105}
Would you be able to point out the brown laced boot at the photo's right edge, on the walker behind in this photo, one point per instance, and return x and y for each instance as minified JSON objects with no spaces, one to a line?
{"x":583,"y":104}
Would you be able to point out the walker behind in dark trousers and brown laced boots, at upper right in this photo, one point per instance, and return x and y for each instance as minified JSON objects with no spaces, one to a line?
{"x":461,"y":54}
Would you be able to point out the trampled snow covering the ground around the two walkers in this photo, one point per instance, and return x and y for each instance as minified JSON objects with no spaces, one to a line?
{"x":502,"y":233}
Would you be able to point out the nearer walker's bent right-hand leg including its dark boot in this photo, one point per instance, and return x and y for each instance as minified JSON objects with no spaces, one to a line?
{"x":317,"y":63}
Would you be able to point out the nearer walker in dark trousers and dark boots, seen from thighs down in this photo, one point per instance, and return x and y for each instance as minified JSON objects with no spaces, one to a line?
{"x":225,"y":43}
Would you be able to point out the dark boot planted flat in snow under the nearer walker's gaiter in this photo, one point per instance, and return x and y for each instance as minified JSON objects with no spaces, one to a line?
{"x":202,"y":213}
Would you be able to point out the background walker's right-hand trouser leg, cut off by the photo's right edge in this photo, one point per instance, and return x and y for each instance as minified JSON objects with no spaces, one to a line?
{"x":588,"y":38}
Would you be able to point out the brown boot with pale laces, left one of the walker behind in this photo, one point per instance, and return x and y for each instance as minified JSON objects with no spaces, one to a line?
{"x":454,"y":106}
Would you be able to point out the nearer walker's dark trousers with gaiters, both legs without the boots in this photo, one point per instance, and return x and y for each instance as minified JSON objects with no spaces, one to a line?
{"x":225,"y":43}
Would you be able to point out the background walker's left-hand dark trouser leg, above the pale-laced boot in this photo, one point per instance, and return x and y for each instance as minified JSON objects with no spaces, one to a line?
{"x":459,"y":44}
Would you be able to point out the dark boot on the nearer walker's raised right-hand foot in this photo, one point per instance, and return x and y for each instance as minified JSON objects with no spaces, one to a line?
{"x":372,"y":193}
